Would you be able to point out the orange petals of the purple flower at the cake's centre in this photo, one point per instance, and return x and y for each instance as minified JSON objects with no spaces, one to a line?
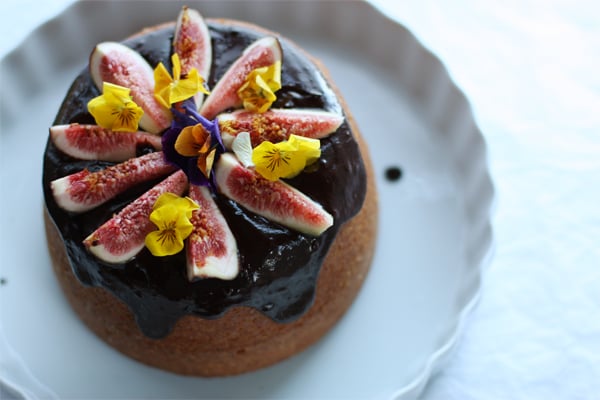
{"x":195,"y":141}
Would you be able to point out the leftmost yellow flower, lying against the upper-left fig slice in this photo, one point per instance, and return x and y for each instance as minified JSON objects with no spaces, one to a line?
{"x":115,"y":109}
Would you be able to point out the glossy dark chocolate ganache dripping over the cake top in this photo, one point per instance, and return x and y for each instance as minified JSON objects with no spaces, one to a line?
{"x":279,"y":267}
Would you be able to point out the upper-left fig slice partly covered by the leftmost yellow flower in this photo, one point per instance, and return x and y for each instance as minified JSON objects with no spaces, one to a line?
{"x":118,"y":64}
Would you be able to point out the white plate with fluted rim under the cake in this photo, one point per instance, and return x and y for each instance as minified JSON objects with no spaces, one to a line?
{"x":434,"y":229}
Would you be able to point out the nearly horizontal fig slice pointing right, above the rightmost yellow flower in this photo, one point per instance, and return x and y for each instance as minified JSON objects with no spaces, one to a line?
{"x":276,"y":125}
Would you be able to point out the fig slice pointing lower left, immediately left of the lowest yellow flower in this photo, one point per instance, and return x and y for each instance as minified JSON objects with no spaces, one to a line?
{"x":120,"y":238}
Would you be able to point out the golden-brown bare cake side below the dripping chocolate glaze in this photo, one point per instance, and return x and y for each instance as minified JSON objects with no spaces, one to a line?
{"x":242,"y":339}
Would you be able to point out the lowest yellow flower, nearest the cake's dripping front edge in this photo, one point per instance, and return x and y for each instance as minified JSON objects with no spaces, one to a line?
{"x":171,"y":214}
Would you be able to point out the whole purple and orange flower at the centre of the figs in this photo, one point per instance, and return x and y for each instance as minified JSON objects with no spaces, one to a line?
{"x":199,"y":147}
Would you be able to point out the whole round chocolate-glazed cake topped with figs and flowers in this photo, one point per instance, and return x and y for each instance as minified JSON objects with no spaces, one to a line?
{"x":210,"y":202}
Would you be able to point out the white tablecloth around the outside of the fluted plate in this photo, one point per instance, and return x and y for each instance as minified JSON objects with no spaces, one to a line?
{"x":531,"y":69}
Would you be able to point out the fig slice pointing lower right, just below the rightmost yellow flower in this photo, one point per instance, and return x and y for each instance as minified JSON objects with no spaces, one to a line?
{"x":275,"y":200}
